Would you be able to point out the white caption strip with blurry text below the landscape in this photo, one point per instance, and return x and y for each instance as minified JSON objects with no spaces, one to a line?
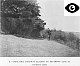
{"x":36,"y":61}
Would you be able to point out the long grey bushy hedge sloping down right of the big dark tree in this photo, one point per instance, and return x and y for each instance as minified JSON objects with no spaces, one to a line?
{"x":69,"y":39}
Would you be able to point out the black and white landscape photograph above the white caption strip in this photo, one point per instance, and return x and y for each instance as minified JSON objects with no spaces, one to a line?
{"x":38,"y":28}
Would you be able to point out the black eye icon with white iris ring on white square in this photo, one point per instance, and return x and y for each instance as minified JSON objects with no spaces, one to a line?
{"x":72,"y":7}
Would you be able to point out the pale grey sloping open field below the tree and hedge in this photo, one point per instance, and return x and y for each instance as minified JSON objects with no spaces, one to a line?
{"x":11,"y":46}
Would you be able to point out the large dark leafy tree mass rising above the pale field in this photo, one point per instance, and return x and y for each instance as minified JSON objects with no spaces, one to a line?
{"x":21,"y":17}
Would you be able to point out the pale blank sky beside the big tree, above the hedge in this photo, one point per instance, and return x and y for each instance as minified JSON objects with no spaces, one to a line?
{"x":52,"y":11}
